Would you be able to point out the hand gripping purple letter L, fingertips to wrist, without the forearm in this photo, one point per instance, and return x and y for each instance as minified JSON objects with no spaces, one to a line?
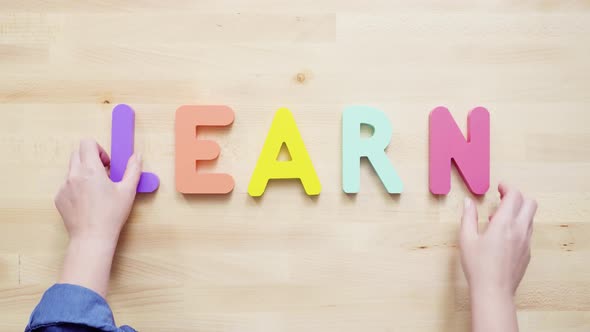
{"x":91,"y":205}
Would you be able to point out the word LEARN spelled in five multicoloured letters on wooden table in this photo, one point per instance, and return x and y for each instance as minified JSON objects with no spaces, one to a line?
{"x":447,"y":145}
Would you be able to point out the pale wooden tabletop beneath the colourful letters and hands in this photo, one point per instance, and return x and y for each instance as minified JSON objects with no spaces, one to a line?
{"x":370,"y":262}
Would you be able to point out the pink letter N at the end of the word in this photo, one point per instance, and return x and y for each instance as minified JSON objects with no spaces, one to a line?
{"x":471,"y":156}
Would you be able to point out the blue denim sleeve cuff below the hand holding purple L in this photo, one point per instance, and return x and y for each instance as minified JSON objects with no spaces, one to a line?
{"x":72,"y":308}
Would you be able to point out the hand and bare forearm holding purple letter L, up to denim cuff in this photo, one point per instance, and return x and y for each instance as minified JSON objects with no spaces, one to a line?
{"x":94,"y":210}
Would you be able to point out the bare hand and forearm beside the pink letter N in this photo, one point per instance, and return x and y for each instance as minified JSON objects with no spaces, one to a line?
{"x":494,"y":261}
